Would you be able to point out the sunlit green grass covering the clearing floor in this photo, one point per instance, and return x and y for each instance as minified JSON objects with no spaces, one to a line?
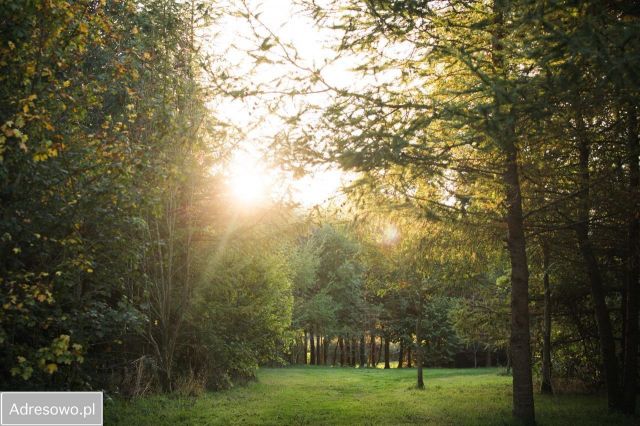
{"x":324,"y":395}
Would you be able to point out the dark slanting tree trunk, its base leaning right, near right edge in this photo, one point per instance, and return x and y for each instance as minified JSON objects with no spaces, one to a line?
{"x":598,"y":294}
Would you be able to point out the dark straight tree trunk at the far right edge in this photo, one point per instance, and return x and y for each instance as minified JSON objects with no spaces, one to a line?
{"x":632,"y":288}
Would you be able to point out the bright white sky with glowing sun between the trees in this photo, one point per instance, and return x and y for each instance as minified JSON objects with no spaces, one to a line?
{"x":251,"y":178}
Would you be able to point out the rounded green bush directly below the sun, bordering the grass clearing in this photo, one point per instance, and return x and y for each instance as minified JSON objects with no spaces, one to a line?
{"x":242,"y":308}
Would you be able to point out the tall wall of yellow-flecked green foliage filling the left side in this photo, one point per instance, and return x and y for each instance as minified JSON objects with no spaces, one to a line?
{"x":106,"y":149}
